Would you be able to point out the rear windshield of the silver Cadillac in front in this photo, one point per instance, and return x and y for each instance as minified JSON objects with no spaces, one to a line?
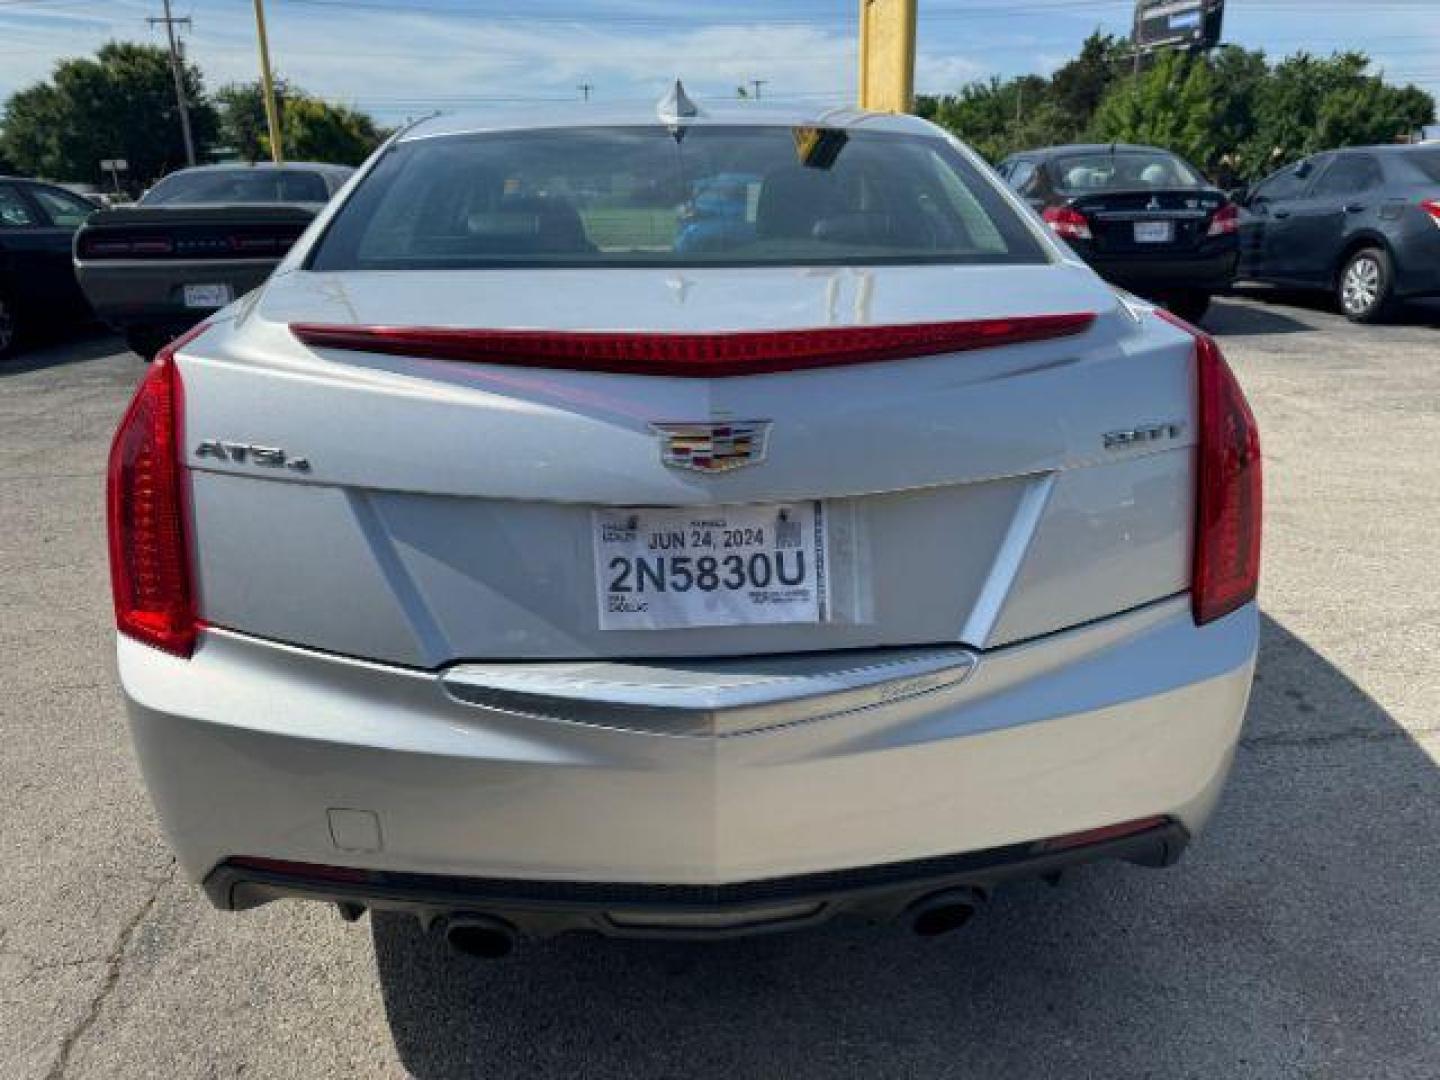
{"x":647,"y":197}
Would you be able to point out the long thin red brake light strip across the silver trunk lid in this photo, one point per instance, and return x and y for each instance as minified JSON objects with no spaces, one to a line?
{"x":702,"y":356}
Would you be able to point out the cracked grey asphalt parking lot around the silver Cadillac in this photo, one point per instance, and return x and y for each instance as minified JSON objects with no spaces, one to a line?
{"x":1301,"y":937}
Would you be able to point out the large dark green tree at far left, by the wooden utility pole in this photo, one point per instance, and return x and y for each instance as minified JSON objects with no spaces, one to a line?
{"x":119,"y":104}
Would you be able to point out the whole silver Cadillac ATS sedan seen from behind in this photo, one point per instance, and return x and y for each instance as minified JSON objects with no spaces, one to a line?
{"x":682,"y":522}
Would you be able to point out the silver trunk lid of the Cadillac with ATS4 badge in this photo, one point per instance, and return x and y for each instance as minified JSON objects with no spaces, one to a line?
{"x":453,"y":512}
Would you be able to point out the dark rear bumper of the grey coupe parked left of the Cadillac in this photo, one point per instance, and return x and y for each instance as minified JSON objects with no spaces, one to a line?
{"x":152,"y":293}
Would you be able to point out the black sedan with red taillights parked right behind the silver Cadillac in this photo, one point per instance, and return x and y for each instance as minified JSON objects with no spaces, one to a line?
{"x":1143,"y":217}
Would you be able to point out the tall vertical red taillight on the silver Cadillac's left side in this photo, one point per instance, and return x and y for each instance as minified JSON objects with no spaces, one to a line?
{"x":145,"y":499}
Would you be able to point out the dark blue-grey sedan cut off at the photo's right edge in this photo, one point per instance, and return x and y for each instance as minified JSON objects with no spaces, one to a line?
{"x":1364,"y":224}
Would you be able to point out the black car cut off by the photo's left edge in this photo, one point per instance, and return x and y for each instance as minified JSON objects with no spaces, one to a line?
{"x":38,"y":222}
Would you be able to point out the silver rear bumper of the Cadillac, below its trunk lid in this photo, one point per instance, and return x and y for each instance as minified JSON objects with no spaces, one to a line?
{"x":254,"y":750}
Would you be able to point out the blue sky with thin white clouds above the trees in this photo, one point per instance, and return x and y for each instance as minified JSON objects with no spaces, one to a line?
{"x":400,"y":60}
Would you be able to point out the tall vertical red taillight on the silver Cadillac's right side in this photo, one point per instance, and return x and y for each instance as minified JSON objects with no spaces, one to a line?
{"x":1229,"y":487}
